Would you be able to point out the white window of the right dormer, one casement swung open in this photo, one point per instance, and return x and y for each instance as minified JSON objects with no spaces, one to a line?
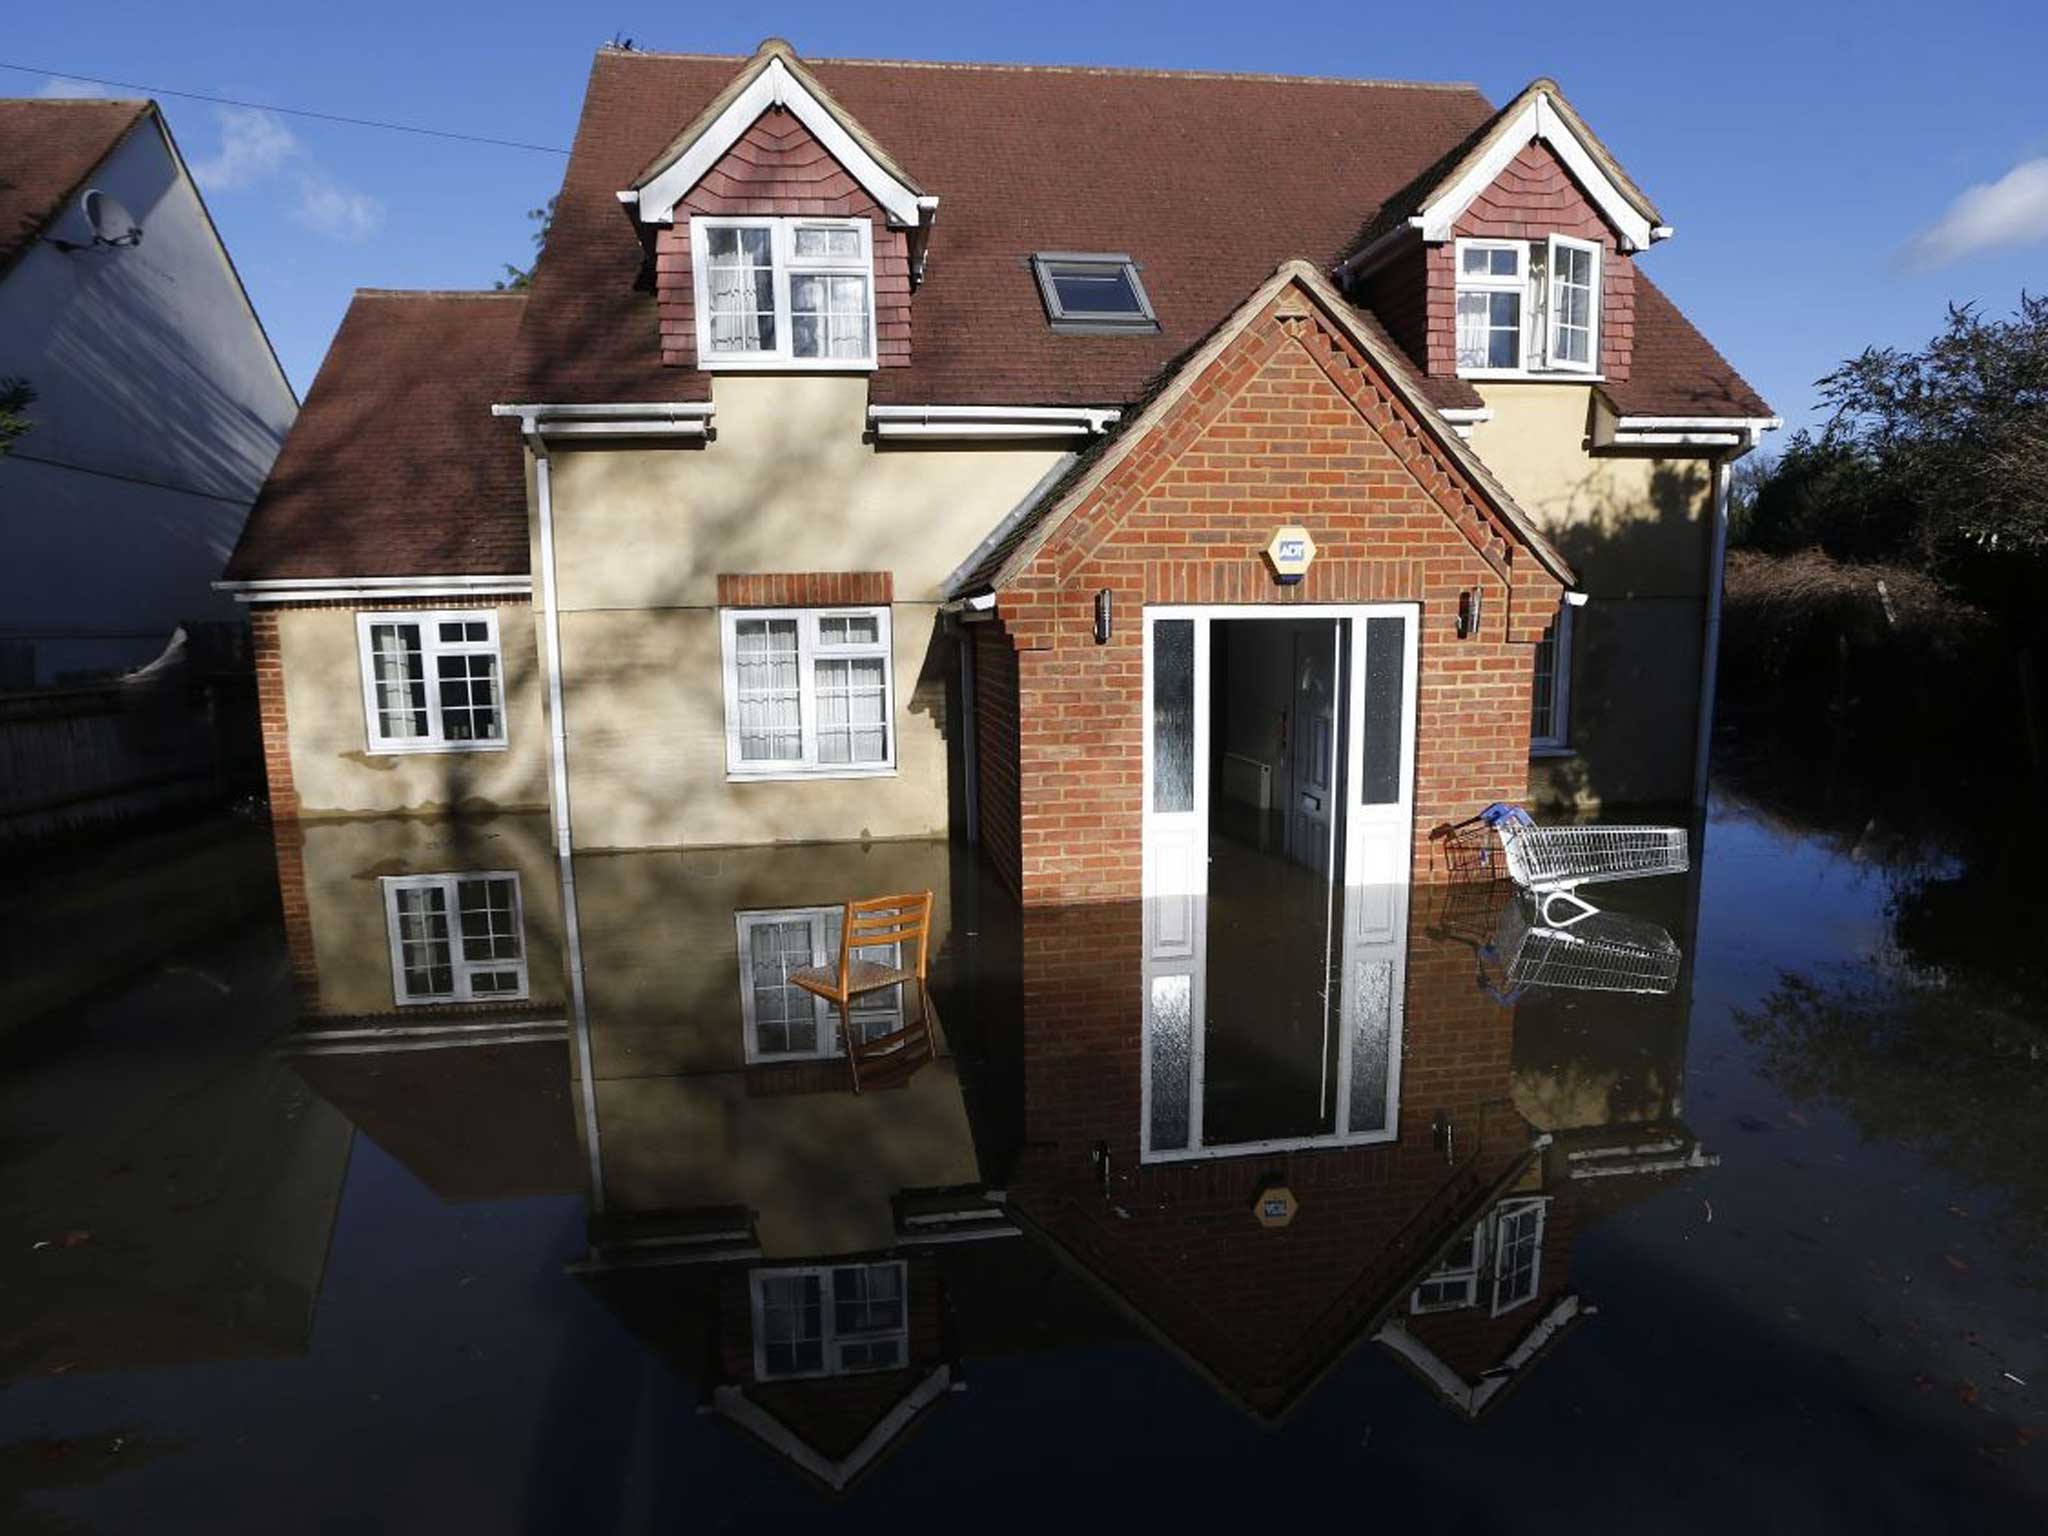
{"x":1529,"y":306}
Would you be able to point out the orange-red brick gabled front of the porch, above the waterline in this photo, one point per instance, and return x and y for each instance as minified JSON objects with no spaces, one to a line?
{"x":1287,"y":425}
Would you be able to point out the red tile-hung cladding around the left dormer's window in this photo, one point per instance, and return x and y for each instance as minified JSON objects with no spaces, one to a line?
{"x":779,"y":169}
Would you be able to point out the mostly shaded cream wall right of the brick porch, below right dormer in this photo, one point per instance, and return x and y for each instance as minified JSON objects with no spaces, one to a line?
{"x":1637,"y":529}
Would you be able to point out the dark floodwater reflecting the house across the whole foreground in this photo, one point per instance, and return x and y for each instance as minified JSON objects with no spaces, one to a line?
{"x":1754,"y":1246}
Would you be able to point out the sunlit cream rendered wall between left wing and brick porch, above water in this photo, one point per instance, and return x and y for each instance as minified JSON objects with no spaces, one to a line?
{"x":790,"y":484}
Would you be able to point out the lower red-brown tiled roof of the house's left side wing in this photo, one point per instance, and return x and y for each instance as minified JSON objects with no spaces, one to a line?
{"x":396,"y":466}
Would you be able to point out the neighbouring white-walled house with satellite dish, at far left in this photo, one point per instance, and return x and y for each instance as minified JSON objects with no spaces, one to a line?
{"x":159,"y":402}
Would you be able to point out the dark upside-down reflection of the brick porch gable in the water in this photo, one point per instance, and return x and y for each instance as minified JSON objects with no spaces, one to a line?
{"x":1265,"y":1310}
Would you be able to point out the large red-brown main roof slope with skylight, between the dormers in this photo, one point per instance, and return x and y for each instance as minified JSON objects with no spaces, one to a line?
{"x":1207,"y":181}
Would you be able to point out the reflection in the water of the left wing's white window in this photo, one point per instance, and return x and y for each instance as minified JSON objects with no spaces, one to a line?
{"x":456,"y":939}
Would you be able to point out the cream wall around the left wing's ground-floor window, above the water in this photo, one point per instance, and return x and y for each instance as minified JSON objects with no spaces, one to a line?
{"x":339,"y":775}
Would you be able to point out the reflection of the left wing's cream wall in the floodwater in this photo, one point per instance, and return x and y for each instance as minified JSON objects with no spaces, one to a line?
{"x":345,"y":863}
